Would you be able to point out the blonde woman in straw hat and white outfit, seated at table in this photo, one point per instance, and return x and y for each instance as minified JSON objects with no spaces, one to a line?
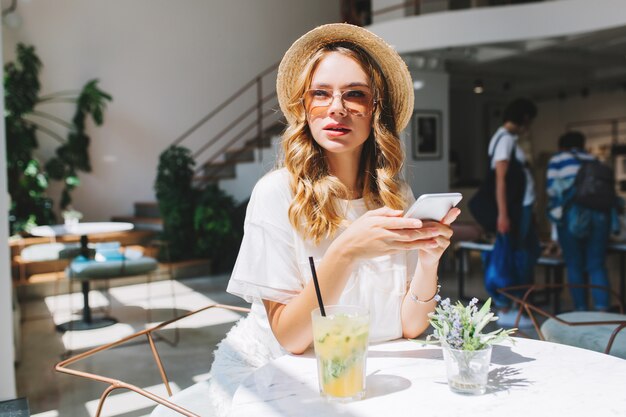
{"x":346,"y":94}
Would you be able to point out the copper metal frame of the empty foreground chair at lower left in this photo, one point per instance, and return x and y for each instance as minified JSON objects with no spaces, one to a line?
{"x":114,"y":384}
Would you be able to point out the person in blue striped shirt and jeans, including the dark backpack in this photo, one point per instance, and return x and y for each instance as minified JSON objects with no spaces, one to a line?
{"x":581,"y":192}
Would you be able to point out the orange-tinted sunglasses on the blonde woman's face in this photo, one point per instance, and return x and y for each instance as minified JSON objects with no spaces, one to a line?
{"x":357,"y":102}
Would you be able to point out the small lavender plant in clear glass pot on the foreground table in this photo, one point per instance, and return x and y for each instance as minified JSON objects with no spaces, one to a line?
{"x":466,"y":350}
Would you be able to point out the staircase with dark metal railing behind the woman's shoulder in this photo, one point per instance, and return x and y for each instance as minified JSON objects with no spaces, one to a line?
{"x":242,"y":151}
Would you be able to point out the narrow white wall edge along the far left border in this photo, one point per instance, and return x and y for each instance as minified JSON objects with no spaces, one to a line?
{"x":7,"y":354}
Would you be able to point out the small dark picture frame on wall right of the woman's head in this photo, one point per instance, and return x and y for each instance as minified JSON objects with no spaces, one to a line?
{"x":426,"y":135}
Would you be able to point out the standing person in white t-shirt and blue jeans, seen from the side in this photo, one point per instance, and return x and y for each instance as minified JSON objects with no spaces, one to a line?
{"x":515,"y":197}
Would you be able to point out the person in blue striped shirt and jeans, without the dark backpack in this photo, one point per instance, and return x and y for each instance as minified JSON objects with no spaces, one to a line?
{"x":581,"y":252}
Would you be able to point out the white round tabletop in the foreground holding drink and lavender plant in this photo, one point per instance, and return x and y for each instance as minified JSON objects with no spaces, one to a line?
{"x":405,"y":378}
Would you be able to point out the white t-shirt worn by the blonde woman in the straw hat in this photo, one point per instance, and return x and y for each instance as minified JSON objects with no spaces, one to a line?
{"x":273,"y":261}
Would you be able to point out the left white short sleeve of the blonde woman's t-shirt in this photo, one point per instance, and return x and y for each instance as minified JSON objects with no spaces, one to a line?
{"x":266,"y":267}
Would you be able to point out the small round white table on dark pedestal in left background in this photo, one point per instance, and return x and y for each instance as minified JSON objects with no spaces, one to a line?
{"x":84,"y":230}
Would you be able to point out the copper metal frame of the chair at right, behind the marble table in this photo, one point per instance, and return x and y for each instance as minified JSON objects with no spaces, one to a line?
{"x":532,"y":310}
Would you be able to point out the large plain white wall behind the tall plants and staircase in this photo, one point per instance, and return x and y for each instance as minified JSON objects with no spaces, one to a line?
{"x":166,"y":63}
